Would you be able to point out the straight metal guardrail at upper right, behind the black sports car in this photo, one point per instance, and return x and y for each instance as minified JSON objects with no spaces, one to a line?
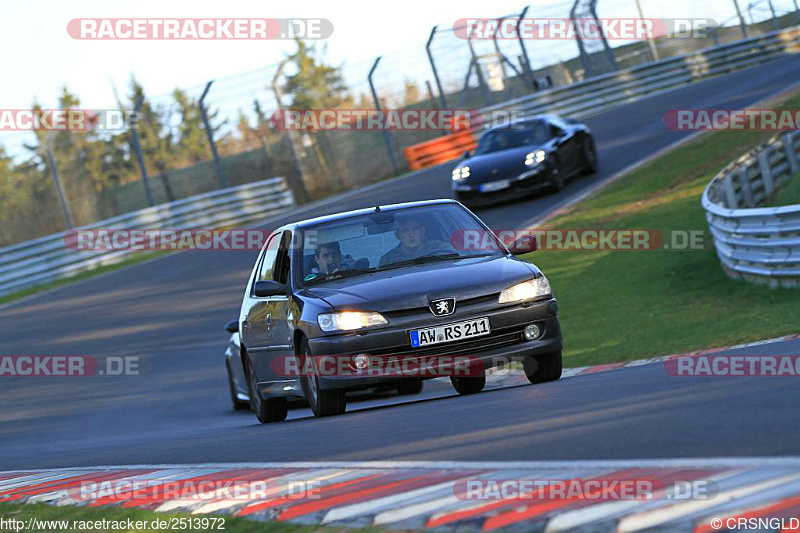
{"x":610,"y":90}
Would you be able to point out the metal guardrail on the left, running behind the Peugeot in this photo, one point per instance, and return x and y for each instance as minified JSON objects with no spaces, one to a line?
{"x":48,"y":259}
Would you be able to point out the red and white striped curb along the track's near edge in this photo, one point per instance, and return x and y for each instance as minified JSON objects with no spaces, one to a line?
{"x":423,"y":495}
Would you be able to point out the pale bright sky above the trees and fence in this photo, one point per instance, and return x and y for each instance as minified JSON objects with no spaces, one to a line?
{"x":40,"y":57}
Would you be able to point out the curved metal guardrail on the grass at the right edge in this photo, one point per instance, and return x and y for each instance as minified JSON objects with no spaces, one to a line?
{"x":760,"y":244}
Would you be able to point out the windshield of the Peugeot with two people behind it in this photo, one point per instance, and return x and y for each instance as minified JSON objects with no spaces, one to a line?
{"x":390,"y":240}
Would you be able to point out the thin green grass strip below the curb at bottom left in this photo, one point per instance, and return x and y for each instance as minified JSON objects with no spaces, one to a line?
{"x":71,"y":517}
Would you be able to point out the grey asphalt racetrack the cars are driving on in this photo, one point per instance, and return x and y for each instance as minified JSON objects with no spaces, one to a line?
{"x":173,"y":310}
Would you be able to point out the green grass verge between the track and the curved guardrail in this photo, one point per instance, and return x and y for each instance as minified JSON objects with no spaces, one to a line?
{"x":623,"y":305}
